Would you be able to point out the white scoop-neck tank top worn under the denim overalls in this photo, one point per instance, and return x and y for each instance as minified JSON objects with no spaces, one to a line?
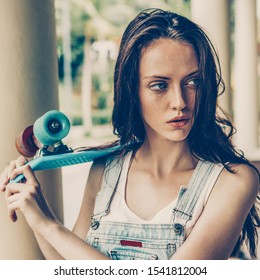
{"x":120,"y":212}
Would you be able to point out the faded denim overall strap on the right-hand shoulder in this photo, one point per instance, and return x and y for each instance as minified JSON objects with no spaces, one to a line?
{"x":185,"y":205}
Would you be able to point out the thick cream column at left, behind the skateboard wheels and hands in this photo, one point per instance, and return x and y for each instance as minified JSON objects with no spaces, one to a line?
{"x":28,"y":79}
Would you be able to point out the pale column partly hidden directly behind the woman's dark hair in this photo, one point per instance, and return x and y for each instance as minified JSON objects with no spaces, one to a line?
{"x":212,"y":15}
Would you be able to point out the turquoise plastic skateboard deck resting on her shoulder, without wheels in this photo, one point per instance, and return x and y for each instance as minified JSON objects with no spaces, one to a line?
{"x":66,"y":159}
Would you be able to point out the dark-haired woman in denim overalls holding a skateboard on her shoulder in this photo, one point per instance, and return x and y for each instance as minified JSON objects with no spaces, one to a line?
{"x":180,"y":190}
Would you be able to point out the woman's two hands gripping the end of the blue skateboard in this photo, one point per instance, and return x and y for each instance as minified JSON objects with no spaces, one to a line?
{"x":26,"y":196}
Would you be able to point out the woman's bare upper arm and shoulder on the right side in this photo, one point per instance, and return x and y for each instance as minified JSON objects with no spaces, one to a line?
{"x":217,"y":230}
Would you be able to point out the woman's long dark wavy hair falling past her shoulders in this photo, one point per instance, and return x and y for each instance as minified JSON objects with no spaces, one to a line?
{"x":210,"y":136}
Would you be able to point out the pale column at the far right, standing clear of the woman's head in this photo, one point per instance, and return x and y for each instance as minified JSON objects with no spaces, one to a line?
{"x":245,"y":76}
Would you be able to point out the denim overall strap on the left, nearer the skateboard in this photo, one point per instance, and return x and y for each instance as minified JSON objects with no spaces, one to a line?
{"x":113,"y":169}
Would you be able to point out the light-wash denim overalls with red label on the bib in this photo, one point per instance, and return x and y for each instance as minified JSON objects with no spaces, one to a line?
{"x":127,"y":241}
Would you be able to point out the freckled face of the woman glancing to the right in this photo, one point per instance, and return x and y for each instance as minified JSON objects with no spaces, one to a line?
{"x":167,"y":88}
